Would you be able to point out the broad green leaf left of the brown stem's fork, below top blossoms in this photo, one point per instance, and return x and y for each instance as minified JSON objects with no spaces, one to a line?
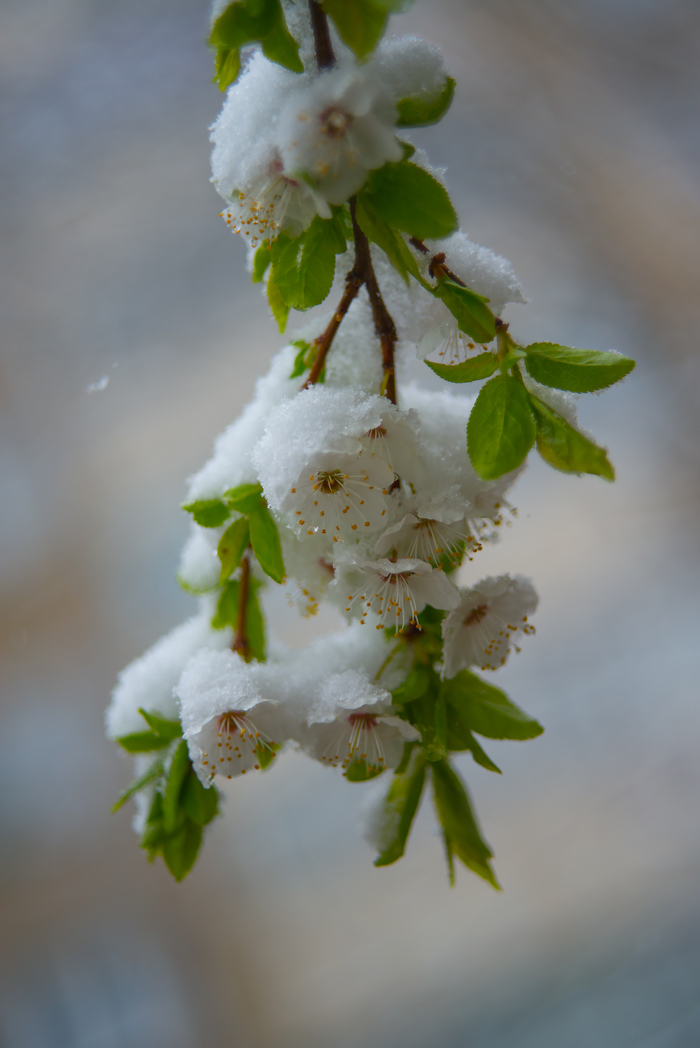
{"x":303,"y":269}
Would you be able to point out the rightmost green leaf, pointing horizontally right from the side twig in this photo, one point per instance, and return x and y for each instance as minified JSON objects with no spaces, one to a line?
{"x":577,"y":370}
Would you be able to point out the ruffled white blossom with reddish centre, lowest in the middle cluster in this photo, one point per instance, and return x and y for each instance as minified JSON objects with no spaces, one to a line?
{"x":397,"y":592}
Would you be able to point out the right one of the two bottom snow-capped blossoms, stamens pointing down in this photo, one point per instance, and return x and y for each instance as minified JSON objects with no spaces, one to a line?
{"x":352,"y":725}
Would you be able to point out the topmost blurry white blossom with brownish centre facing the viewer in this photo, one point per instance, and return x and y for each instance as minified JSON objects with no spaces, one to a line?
{"x":338,"y":129}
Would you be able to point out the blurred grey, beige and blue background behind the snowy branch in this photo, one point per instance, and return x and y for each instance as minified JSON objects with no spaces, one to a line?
{"x":130,"y":338}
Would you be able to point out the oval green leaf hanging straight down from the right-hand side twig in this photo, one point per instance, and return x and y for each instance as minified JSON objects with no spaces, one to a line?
{"x":501,"y":429}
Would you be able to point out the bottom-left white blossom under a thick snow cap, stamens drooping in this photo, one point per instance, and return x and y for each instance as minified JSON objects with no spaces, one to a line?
{"x":230,"y":726}
